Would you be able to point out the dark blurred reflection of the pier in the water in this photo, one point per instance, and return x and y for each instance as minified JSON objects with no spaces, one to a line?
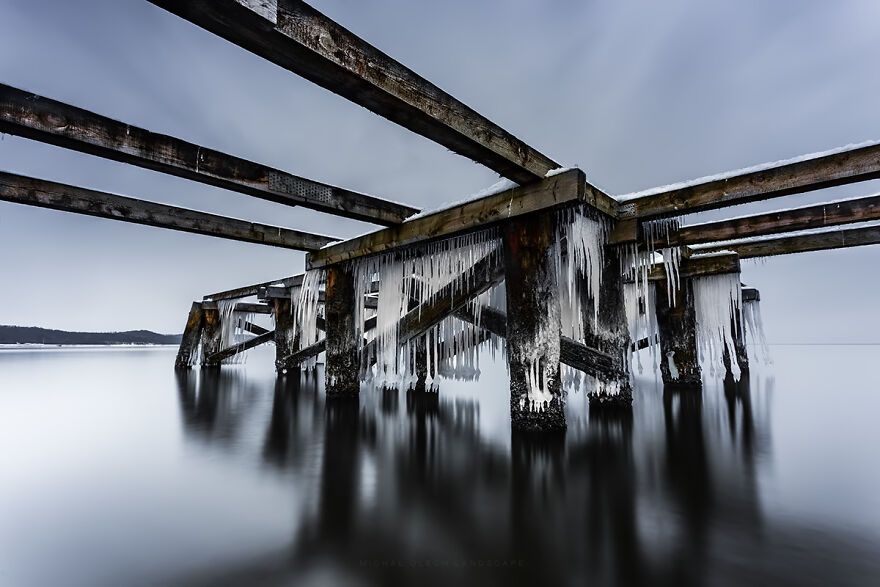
{"x":400,"y":487}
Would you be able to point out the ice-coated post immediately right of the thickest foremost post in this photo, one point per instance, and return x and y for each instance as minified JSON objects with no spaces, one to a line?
{"x":610,"y":333}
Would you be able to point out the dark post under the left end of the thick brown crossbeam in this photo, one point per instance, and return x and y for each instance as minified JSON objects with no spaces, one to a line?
{"x":341,"y":370}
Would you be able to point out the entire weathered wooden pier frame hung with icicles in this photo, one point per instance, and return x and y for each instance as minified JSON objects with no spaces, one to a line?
{"x":531,"y":230}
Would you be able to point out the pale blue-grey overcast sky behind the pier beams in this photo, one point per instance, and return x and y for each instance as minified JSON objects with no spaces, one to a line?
{"x":636,"y":93}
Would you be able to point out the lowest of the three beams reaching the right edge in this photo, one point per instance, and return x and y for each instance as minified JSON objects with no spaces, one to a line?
{"x":785,"y":245}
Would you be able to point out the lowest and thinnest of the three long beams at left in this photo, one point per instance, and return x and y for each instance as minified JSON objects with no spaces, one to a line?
{"x":58,"y":196}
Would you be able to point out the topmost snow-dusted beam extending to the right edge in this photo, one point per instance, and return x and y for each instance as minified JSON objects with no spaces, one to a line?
{"x":822,"y":171}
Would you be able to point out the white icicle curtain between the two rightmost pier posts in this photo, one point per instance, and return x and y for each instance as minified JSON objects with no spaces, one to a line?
{"x":717,"y":303}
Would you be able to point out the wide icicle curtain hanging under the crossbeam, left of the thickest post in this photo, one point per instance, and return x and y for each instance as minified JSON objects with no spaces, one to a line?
{"x":411,"y":278}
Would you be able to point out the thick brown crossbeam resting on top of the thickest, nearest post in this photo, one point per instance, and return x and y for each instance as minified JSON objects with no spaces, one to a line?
{"x":564,"y":188}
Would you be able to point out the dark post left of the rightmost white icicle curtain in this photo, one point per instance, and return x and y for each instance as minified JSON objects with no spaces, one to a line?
{"x":679,"y":364}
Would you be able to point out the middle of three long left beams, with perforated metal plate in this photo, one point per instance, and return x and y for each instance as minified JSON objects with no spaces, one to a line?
{"x":42,"y":119}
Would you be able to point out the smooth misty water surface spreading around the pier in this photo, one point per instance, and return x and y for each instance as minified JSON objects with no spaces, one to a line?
{"x":114,"y":470}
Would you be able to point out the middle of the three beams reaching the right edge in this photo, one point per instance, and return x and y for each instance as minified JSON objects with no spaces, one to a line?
{"x":809,"y":217}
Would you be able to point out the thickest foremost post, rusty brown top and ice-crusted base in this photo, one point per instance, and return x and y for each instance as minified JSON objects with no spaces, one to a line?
{"x":533,"y":326}
